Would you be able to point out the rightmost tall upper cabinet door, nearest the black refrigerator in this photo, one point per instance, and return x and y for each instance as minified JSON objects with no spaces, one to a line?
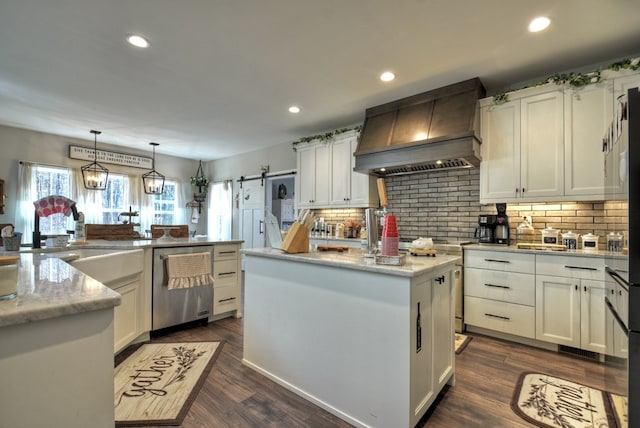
{"x":588,"y":112}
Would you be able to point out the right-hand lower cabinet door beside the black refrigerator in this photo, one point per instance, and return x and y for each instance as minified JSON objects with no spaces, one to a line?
{"x":593,"y":317}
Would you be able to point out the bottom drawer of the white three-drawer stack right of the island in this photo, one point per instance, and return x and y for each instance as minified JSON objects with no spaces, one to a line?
{"x":508,"y":318}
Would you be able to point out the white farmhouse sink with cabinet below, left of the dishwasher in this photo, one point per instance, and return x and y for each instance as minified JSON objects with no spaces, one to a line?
{"x":123,"y":272}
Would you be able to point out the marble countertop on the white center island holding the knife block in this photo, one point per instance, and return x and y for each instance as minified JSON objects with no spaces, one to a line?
{"x":354,"y":259}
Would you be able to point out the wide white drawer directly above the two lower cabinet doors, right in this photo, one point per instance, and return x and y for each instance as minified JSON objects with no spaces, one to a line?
{"x":571,"y":267}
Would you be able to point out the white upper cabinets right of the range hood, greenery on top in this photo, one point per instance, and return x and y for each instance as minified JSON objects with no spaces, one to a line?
{"x":545,"y":143}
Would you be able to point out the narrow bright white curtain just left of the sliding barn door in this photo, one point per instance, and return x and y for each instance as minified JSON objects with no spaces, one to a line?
{"x":220,"y":210}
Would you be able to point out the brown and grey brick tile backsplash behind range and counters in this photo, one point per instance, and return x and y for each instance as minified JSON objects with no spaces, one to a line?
{"x":444,"y":205}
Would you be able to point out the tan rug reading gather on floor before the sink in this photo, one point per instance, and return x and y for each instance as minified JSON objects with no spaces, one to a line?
{"x":158,"y":382}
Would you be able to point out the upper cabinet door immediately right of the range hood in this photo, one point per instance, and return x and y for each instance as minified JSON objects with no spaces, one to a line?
{"x":500,"y":166}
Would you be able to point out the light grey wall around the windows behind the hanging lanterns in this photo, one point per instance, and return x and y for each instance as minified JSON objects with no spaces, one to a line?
{"x":23,"y":145}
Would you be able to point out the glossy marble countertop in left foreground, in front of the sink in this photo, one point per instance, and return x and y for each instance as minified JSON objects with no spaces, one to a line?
{"x":48,"y":287}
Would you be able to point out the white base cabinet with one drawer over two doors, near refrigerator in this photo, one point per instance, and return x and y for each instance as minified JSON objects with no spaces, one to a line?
{"x":570,"y":307}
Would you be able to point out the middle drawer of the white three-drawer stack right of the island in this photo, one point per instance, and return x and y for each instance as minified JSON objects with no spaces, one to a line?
{"x":508,"y":287}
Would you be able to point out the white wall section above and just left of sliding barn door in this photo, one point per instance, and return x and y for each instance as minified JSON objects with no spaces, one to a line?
{"x":279,"y":158}
